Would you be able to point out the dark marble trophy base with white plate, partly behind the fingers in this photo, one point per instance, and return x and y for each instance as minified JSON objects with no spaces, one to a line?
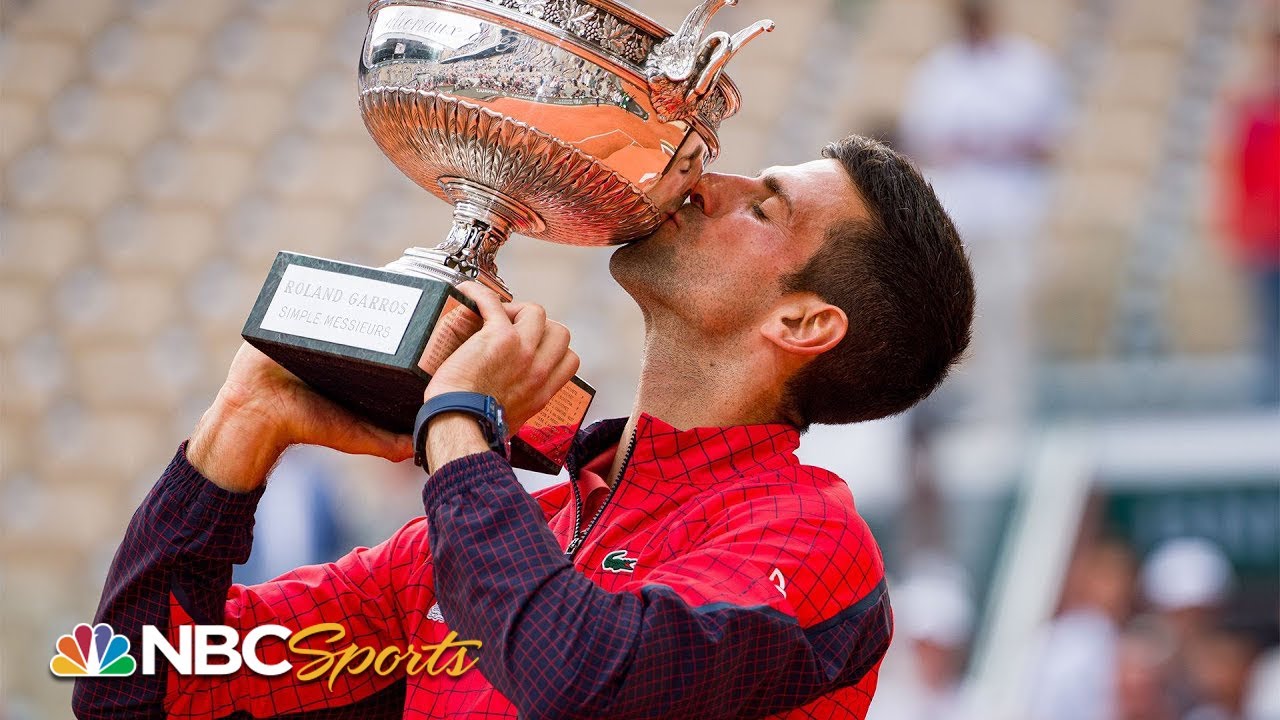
{"x":371,"y":339}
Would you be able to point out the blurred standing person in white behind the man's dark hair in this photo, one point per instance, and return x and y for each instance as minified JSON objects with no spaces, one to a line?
{"x":984,"y":117}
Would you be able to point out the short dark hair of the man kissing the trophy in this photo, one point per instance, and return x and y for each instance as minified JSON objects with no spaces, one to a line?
{"x":902,"y":277}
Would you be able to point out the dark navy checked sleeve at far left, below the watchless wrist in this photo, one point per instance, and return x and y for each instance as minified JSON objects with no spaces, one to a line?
{"x":184,"y":540}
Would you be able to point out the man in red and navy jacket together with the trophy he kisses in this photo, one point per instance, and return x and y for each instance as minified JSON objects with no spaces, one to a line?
{"x":692,"y":566}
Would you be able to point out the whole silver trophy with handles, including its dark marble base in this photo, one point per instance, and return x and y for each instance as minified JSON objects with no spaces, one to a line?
{"x":580,"y":122}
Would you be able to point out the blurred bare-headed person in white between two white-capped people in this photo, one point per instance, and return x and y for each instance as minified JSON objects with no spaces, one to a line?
{"x":1076,"y":669}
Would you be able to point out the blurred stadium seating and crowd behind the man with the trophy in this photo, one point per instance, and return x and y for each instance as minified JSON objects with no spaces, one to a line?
{"x":157,"y":154}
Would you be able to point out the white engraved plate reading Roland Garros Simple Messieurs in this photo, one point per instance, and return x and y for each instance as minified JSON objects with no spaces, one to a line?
{"x":345,"y":309}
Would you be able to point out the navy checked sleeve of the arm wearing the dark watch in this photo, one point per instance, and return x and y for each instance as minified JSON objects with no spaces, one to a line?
{"x":560,"y":646}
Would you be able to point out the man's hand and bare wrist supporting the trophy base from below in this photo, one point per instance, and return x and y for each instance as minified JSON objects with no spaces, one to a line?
{"x":263,"y":409}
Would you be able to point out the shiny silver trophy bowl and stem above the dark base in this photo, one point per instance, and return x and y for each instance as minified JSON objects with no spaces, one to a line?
{"x":578,"y":122}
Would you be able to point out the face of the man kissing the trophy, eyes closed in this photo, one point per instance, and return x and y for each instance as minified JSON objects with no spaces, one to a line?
{"x":720,"y":261}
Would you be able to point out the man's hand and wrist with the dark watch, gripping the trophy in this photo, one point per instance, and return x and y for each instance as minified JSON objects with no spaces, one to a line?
{"x":518,"y":357}
